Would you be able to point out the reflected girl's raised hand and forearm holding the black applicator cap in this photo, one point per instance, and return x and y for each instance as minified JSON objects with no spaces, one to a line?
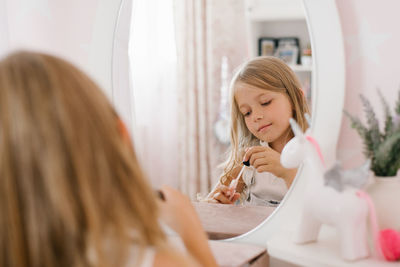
{"x":265,"y":159}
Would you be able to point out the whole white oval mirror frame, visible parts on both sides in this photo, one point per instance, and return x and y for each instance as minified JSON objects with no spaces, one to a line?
{"x":327,"y":98}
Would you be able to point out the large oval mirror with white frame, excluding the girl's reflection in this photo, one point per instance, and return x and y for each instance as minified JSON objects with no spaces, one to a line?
{"x":172,"y":91}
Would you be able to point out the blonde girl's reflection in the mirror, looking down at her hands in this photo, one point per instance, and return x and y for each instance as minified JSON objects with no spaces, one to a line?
{"x":265,"y":93}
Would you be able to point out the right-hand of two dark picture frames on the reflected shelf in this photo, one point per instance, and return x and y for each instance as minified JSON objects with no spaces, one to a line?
{"x":288,"y":50}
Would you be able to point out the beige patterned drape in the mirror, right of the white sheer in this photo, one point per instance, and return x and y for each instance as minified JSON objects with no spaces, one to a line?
{"x":195,"y":121}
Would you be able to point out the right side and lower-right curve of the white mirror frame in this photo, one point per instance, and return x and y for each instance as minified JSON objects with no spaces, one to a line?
{"x":327,"y":100}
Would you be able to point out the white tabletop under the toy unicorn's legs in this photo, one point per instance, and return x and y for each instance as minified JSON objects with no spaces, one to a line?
{"x":324,"y":252}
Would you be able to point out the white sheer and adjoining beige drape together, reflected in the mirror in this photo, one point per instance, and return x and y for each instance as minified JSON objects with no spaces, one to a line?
{"x":172,"y":125}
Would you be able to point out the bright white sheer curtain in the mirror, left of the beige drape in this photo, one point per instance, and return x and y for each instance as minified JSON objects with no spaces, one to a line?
{"x":154,"y":64}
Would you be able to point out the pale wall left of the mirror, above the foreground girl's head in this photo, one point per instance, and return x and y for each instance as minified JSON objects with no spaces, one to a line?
{"x":80,"y":31}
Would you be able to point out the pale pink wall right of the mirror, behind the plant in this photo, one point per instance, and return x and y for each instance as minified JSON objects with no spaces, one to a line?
{"x":372,"y":42}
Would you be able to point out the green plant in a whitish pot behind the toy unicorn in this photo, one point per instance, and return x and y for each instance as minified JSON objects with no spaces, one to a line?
{"x":383,"y":148}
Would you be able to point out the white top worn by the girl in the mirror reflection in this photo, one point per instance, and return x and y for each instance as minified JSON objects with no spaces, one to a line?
{"x":263,"y":188}
